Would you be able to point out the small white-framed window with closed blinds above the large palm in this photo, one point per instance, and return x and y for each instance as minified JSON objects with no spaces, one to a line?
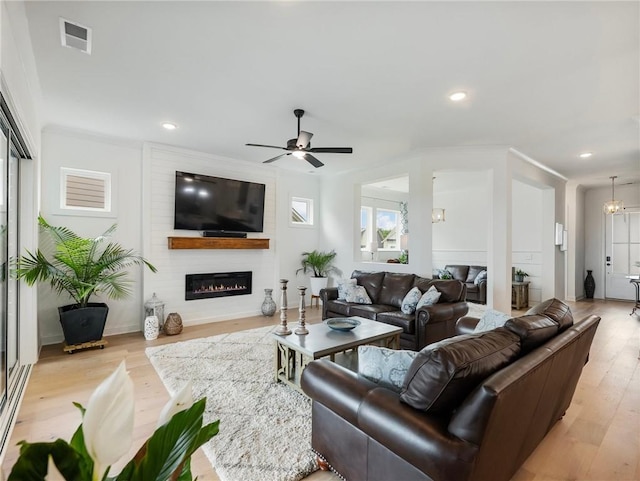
{"x":85,"y":190}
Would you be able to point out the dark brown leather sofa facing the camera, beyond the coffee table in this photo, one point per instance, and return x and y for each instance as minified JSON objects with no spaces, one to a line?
{"x":387,"y":290}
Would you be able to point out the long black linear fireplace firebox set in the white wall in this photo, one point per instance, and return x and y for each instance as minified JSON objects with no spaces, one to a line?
{"x":217,"y":284}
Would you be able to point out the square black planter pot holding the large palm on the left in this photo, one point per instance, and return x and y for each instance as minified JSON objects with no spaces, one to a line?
{"x":83,"y":324}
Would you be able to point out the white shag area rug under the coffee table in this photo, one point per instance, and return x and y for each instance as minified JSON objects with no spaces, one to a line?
{"x":265,"y":427}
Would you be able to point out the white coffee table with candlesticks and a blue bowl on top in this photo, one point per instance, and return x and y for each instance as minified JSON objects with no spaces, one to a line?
{"x":294,"y":352}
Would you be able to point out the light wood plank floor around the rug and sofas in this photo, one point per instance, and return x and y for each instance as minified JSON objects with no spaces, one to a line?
{"x":597,"y":440}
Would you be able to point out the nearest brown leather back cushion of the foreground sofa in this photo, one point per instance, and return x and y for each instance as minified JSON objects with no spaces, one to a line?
{"x":444,"y":373}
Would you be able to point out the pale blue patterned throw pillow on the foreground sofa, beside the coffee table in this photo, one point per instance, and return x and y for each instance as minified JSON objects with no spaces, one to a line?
{"x":386,"y":367}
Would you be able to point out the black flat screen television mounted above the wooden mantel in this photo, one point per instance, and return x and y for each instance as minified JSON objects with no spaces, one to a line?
{"x":209,"y":203}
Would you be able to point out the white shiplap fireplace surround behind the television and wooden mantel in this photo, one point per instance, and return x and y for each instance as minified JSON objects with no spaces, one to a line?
{"x":159,"y":166}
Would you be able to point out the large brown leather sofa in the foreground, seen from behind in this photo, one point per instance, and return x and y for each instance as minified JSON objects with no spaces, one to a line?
{"x":366,"y":432}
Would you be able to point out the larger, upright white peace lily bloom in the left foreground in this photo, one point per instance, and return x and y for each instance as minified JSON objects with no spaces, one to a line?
{"x":108,"y":421}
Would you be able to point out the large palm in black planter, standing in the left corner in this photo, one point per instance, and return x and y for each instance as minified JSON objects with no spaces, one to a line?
{"x":81,"y":267}
